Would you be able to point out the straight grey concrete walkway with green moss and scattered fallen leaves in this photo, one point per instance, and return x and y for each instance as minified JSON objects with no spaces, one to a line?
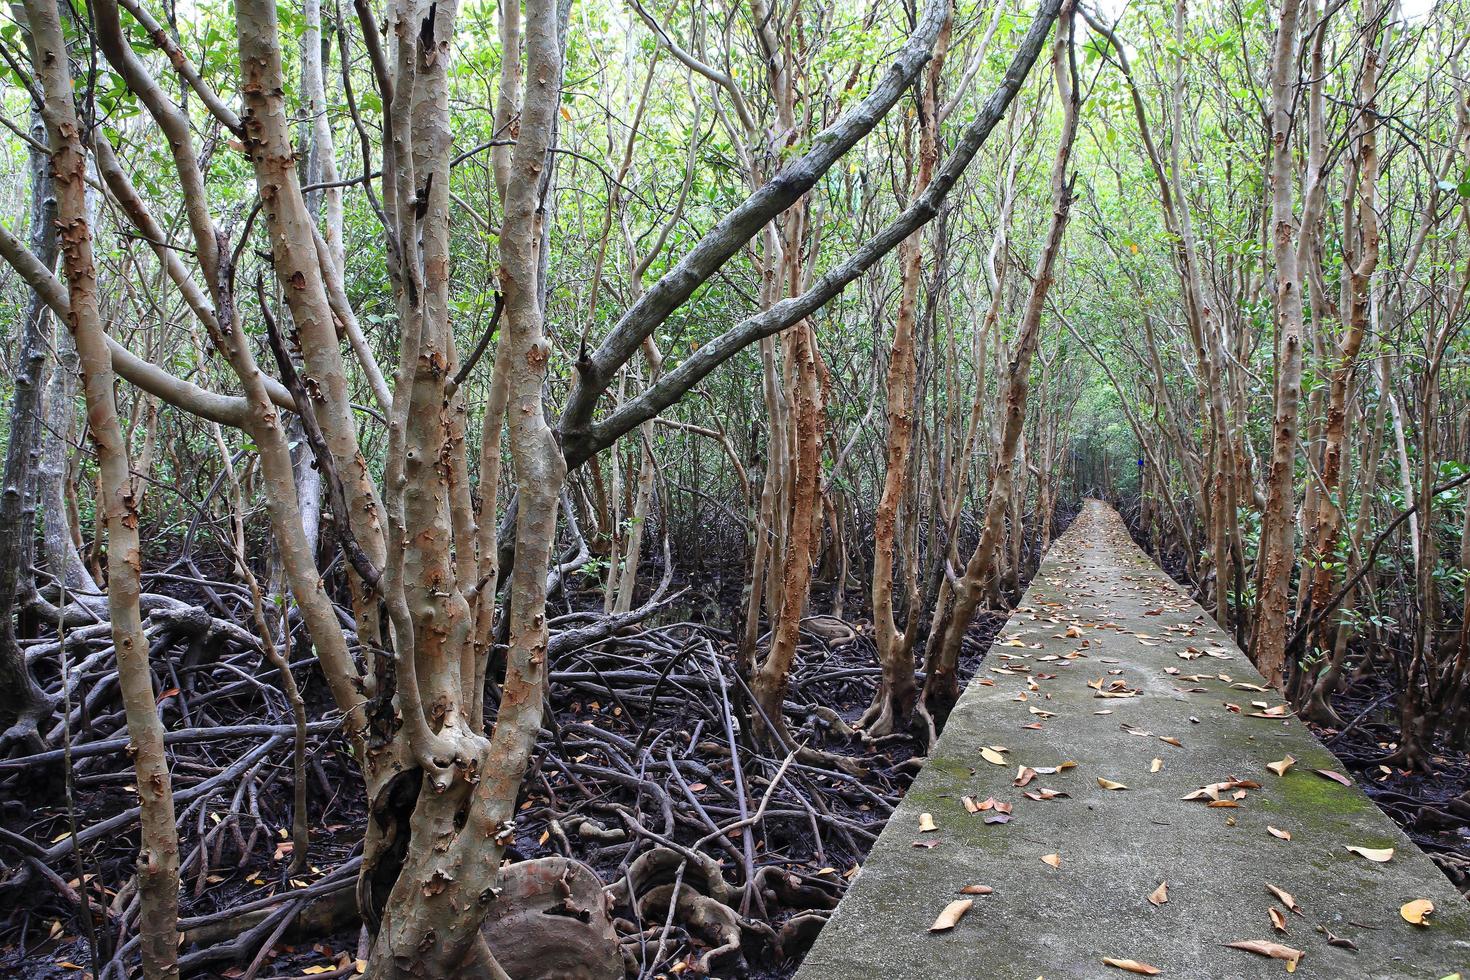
{"x":1109,"y":677}
